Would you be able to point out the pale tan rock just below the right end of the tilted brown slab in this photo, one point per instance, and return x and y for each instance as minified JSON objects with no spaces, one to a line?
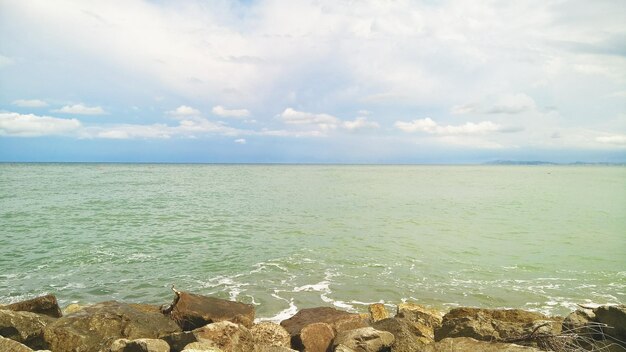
{"x":226,"y":335}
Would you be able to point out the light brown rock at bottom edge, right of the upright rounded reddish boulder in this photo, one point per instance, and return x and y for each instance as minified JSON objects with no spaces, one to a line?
{"x":365,"y":339}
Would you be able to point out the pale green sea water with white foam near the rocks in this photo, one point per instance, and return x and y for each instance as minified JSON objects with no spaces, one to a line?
{"x":286,"y":237}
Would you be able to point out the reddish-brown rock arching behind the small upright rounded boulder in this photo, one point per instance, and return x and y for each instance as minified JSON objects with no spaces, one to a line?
{"x":327,"y":315}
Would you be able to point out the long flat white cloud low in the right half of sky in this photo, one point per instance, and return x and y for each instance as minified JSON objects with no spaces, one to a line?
{"x":429,"y":126}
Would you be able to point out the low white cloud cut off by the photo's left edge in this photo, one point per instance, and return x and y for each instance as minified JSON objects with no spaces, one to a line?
{"x":14,"y":124}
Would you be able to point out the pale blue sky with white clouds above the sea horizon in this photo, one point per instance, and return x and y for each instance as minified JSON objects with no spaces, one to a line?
{"x":323,"y":81}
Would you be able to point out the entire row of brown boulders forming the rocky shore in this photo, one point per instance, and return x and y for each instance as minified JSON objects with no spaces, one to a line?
{"x":195,"y":323}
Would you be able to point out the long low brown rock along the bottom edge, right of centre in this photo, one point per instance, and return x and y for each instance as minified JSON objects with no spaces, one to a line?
{"x":466,"y":344}
